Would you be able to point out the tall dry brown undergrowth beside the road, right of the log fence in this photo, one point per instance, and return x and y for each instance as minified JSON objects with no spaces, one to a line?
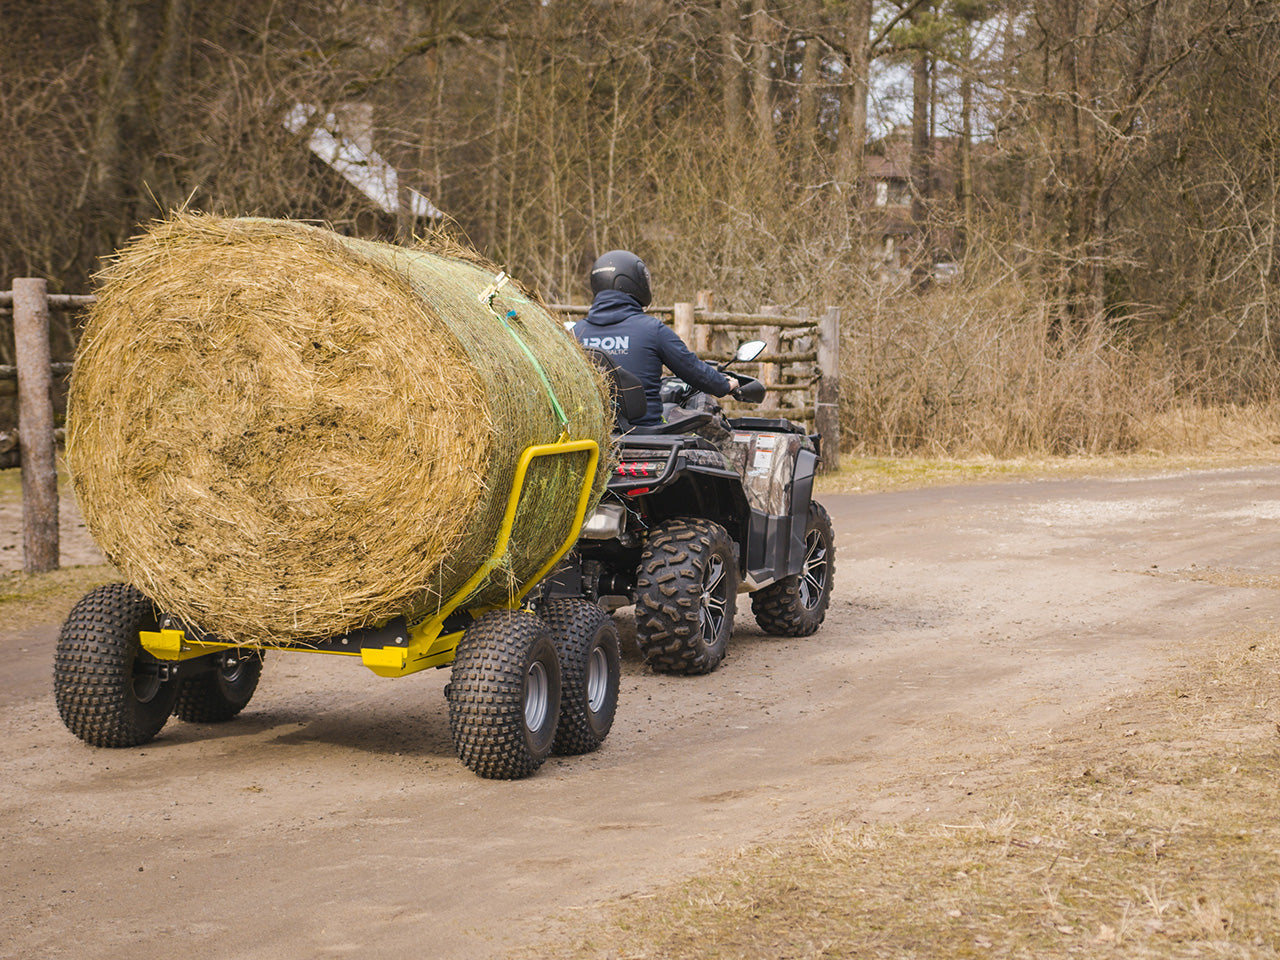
{"x":981,"y":371}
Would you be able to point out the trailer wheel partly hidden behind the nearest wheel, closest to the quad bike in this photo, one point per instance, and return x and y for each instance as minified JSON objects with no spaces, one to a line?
{"x":591,"y":671}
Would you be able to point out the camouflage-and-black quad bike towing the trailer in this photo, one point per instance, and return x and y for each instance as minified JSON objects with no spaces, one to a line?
{"x":700,"y":509}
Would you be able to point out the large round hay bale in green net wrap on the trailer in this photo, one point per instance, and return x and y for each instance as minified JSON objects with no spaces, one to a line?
{"x":278,"y":433}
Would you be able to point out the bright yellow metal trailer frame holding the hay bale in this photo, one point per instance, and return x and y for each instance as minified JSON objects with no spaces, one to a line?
{"x":424,"y":643}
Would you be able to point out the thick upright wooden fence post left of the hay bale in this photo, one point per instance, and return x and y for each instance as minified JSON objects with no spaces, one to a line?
{"x":36,"y":427}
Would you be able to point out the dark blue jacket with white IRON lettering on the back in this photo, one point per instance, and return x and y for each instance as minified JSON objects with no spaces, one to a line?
{"x":642,"y":345}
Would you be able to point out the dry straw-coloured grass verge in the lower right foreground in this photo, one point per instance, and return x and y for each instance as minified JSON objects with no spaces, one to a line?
{"x":1148,"y":831}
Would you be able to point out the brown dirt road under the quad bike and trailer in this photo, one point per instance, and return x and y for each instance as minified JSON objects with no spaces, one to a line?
{"x":333,"y":820}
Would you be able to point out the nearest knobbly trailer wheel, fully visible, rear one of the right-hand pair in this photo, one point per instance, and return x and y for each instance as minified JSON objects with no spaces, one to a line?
{"x":505,"y":696}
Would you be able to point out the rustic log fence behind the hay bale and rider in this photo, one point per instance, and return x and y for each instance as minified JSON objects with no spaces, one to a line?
{"x":801,"y":369}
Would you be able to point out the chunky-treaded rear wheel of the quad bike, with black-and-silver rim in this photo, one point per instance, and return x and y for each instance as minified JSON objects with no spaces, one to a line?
{"x":687,"y":591}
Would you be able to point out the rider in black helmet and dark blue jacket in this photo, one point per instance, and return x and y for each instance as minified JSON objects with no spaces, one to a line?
{"x":638,"y":342}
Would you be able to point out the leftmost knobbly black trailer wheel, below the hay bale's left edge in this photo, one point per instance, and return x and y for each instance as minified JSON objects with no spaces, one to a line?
{"x":109,"y":691}
